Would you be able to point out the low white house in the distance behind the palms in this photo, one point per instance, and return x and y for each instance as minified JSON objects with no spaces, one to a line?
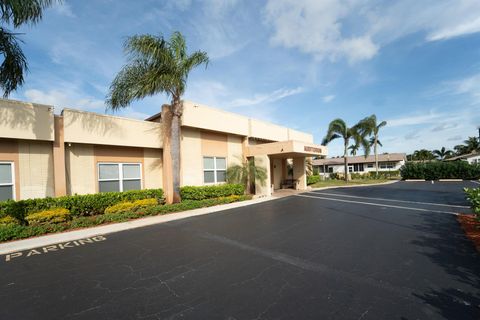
{"x":360,"y":164}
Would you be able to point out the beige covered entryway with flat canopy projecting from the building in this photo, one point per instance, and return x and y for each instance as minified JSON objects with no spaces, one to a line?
{"x":285,"y":162}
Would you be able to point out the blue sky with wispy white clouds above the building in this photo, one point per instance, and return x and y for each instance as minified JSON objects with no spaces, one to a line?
{"x":415,"y":64}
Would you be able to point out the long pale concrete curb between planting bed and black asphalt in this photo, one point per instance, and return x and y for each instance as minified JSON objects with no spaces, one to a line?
{"x":49,"y":239}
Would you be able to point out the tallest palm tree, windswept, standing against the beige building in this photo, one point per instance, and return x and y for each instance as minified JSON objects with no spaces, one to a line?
{"x":157,"y":66}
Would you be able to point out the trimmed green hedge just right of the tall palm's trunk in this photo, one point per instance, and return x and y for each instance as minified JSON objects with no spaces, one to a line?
{"x":209,"y":192}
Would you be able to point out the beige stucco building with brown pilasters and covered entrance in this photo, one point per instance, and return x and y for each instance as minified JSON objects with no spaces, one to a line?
{"x":78,"y":152}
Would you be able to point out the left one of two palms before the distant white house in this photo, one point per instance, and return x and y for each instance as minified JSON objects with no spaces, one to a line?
{"x":339,"y":129}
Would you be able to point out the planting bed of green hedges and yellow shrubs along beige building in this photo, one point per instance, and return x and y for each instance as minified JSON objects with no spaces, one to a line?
{"x":29,"y":218}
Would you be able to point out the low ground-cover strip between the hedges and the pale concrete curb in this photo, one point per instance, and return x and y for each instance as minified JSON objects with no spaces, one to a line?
{"x":9,"y":231}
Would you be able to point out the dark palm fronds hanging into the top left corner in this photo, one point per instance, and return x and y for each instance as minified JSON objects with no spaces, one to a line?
{"x":16,"y":13}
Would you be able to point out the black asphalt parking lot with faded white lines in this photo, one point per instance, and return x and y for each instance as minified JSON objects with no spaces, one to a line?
{"x":380,"y":252}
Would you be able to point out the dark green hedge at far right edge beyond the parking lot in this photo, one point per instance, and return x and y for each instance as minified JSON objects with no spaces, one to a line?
{"x":440,"y":170}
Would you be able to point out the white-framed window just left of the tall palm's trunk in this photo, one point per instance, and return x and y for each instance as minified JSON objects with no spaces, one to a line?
{"x":119,"y":177}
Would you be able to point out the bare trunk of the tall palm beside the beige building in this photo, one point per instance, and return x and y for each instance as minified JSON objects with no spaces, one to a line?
{"x":175,"y":147}
